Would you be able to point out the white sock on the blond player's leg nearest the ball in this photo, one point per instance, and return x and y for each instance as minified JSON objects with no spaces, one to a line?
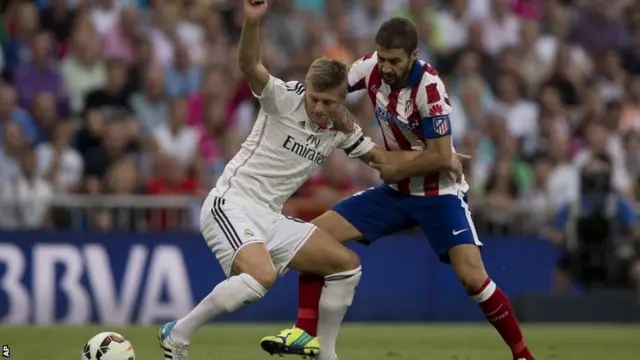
{"x":228,"y":296}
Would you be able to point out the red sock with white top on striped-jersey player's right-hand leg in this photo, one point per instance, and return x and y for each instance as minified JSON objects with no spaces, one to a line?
{"x":496,"y":306}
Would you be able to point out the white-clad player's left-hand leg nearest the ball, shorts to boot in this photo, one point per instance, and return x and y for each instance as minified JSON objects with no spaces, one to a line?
{"x":246,"y":262}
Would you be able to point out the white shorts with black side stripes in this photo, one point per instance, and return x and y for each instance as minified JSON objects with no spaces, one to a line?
{"x":227,"y":227}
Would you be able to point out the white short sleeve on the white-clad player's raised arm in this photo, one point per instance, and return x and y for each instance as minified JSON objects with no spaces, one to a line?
{"x":278,"y":97}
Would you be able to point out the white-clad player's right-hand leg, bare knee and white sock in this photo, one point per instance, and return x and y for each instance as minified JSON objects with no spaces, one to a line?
{"x":340,"y":268}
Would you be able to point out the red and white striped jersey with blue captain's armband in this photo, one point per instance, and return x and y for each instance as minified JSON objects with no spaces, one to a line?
{"x":408,"y":117}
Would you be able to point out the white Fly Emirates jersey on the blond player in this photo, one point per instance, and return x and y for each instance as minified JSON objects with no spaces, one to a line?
{"x":283,"y":150}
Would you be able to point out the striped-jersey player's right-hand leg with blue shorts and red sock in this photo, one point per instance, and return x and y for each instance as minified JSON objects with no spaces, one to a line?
{"x":447,"y":223}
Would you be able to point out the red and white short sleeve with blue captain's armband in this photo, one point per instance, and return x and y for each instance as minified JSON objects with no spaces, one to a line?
{"x":434,"y":107}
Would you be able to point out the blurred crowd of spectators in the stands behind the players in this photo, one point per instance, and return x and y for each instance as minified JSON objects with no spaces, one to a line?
{"x":137,"y":97}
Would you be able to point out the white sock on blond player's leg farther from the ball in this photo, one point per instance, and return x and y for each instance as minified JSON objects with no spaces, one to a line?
{"x":337,"y":296}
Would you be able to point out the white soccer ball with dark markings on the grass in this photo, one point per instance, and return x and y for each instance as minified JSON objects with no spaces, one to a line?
{"x":108,"y":346}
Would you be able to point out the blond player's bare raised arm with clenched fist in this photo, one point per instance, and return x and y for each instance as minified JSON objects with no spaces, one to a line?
{"x":249,"y":49}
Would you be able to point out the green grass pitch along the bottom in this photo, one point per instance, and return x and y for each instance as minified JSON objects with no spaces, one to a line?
{"x":357,"y":342}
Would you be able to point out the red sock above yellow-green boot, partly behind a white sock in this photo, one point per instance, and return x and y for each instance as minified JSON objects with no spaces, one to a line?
{"x":309,"y":290}
